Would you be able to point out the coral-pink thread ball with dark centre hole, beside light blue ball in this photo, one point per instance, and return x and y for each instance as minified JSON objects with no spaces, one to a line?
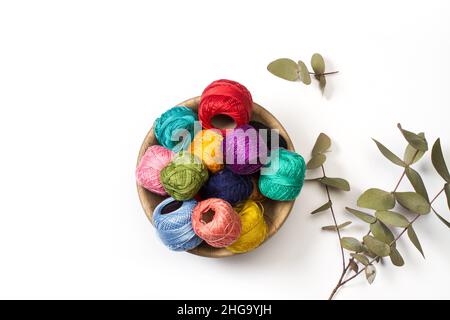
{"x":215,"y":221}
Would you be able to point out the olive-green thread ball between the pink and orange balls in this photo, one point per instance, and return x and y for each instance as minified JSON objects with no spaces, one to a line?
{"x":183,"y":177}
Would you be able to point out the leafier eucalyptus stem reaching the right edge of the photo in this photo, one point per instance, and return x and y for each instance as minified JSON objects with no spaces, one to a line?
{"x":380,"y":242}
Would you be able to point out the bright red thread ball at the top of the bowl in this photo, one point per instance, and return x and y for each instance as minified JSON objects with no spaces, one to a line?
{"x":225,"y":97}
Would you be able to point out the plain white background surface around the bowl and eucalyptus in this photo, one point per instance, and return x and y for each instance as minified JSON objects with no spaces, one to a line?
{"x":82,"y":81}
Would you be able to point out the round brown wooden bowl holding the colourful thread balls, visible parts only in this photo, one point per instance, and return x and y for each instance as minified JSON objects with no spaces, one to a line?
{"x":275,"y":212}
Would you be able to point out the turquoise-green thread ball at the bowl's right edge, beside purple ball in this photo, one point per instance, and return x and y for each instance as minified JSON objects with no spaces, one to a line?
{"x":285,"y":182}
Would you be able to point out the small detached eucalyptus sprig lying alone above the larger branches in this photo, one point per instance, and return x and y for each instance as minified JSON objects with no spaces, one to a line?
{"x":288,"y":69}
